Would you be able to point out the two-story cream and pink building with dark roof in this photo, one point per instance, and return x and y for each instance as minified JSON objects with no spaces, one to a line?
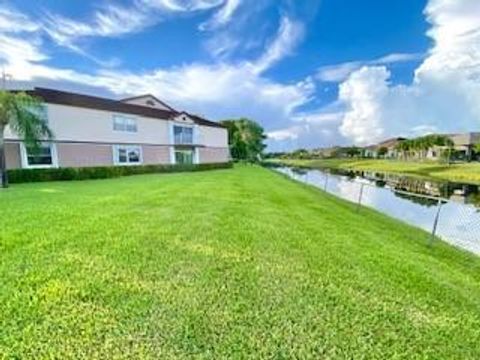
{"x":95,"y":131}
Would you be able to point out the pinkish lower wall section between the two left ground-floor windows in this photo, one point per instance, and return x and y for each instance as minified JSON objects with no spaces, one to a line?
{"x":84,"y":155}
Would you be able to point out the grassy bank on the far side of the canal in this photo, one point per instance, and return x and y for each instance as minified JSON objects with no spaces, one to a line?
{"x":468,"y":172}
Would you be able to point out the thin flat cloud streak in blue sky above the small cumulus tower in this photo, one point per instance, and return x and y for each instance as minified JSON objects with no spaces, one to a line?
{"x":340,"y":72}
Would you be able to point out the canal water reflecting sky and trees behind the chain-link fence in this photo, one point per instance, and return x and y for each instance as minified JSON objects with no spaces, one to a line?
{"x":414,"y":201}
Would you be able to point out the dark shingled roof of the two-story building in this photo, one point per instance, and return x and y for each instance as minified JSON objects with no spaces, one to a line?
{"x":93,"y":102}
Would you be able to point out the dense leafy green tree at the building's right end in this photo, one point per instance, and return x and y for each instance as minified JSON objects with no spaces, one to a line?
{"x":246,"y":139}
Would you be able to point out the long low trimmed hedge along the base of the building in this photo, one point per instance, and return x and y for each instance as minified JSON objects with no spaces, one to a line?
{"x":104,"y":172}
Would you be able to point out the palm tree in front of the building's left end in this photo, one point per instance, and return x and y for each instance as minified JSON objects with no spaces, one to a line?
{"x":23,"y":114}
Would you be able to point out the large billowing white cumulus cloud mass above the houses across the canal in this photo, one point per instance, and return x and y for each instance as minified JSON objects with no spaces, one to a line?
{"x":445,"y":94}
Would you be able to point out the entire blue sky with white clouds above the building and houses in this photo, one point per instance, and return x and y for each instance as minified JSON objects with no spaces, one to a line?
{"x":312,"y":72}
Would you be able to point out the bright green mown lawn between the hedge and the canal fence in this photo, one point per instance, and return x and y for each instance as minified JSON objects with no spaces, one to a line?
{"x":239,"y":263}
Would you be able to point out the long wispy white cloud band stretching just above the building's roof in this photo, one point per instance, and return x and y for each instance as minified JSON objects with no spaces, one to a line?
{"x":217,"y":91}
